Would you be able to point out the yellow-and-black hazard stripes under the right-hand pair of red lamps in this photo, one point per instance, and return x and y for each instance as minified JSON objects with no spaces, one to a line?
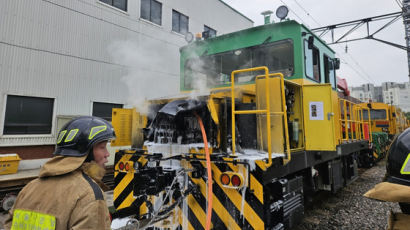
{"x":230,"y":209}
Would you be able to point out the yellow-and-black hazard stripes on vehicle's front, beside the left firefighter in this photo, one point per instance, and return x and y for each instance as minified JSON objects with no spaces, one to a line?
{"x":124,"y":202}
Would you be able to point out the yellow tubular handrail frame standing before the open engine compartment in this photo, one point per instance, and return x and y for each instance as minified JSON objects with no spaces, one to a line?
{"x":261,"y":111}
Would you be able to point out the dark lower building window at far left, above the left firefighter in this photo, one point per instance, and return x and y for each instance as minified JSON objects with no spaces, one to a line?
{"x":28,"y":115}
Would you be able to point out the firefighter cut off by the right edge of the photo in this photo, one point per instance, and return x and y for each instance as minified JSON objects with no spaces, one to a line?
{"x":396,"y":185}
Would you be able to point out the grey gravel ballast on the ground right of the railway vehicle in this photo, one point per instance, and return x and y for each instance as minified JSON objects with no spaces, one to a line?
{"x":348,"y":208}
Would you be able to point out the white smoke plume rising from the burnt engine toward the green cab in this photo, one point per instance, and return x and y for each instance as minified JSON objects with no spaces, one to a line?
{"x":152,"y":71}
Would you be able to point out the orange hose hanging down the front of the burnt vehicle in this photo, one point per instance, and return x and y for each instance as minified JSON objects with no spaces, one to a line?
{"x":209,"y":173}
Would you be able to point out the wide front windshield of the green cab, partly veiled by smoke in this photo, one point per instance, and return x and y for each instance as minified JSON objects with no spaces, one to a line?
{"x":215,"y":70}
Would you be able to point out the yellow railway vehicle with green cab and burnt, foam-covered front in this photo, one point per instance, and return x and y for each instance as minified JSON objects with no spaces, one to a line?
{"x":252,"y":149}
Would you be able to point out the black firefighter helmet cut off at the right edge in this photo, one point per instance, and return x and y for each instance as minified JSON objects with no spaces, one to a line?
{"x":398,"y":161}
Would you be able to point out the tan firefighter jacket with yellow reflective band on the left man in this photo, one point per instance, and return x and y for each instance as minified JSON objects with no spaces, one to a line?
{"x":65,"y":196}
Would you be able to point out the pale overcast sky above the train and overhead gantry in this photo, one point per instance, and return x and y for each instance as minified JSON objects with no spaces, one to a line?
{"x":366,"y":61}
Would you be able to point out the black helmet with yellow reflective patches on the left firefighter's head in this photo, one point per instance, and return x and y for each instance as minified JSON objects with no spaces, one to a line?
{"x":79,"y":135}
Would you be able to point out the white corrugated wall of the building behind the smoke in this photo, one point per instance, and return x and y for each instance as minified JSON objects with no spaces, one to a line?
{"x":82,"y":51}
